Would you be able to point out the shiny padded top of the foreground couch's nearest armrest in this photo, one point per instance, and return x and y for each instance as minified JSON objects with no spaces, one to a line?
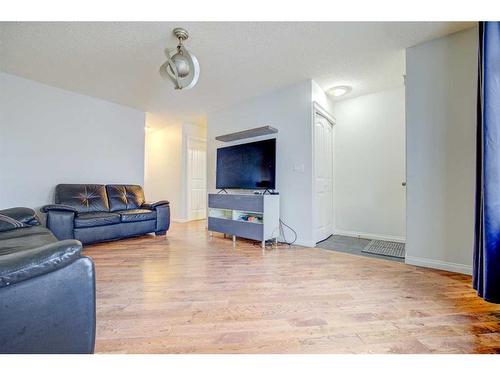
{"x":27,"y":264}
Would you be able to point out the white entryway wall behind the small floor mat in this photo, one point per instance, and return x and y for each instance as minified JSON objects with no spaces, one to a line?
{"x":369,"y":167}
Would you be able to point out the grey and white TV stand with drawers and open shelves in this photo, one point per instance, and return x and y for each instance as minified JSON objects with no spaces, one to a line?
{"x":251,"y":216}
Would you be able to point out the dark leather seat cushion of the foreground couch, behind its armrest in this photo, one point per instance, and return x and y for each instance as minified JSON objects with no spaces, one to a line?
{"x":25,"y":238}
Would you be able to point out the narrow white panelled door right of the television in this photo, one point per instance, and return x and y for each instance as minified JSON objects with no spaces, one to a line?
{"x":323,"y":177}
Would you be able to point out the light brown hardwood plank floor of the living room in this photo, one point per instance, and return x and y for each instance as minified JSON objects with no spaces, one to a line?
{"x":189,"y":293}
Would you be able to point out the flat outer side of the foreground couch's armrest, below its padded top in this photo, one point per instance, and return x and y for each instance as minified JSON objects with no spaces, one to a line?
{"x":52,"y":313}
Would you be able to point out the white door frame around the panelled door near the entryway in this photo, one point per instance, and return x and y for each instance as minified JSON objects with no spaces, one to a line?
{"x":318,"y":110}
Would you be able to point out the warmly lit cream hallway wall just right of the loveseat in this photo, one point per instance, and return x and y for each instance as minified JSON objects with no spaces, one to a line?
{"x":165,"y":164}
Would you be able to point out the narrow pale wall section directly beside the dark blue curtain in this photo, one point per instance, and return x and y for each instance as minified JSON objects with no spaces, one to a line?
{"x":441,"y":121}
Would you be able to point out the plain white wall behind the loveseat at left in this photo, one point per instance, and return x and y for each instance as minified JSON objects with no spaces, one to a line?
{"x":50,"y":136}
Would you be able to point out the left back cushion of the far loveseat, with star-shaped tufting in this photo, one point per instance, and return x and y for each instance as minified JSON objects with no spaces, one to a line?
{"x":83,"y":197}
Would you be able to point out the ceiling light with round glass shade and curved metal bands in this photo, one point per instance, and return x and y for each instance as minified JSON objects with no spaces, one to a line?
{"x":181,"y":67}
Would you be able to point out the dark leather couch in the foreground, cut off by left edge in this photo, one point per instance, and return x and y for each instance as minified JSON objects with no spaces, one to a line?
{"x":47,"y":290}
